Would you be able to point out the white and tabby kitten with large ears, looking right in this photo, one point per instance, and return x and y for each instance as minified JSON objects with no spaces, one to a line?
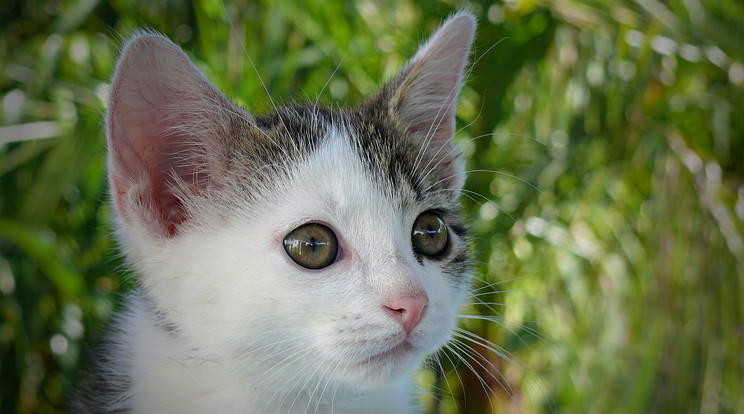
{"x":308,"y":260}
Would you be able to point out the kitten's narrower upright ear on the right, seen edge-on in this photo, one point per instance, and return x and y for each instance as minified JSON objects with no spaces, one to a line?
{"x":423,"y":97}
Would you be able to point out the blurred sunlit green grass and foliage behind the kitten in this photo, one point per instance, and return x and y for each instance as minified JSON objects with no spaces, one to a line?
{"x":606,"y":193}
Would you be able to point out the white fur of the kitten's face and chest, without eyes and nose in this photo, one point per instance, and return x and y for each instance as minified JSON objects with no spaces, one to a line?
{"x":261,"y":334}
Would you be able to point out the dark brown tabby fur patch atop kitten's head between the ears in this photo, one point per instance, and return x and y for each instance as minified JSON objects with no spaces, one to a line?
{"x":394,"y":161}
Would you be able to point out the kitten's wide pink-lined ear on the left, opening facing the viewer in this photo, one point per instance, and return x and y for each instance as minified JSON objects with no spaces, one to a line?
{"x":168,"y":133}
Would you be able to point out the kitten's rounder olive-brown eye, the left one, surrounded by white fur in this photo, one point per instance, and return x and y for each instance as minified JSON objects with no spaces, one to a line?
{"x":312,"y":245}
